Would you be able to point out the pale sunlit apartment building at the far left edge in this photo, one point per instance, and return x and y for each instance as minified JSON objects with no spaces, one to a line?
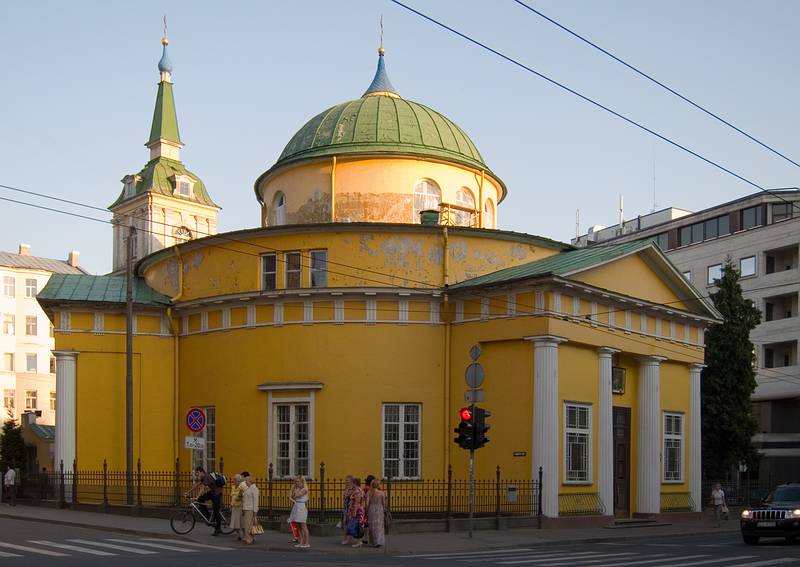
{"x":27,"y":368}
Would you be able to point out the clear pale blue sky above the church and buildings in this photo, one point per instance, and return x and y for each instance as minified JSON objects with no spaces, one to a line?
{"x":78,"y":83}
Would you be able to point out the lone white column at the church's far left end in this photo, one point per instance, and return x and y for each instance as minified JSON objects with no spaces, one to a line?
{"x":66,"y":394}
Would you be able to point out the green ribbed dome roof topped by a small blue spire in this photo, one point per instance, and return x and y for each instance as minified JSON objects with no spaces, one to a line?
{"x":381,"y":123}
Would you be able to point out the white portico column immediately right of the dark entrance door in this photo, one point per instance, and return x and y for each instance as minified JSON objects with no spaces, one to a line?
{"x":648,"y":421}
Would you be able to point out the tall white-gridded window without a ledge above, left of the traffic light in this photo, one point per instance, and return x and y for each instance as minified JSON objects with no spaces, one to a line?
{"x":402,"y":441}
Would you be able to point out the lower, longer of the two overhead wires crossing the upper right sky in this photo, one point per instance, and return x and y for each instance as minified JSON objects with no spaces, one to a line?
{"x":593,"y":102}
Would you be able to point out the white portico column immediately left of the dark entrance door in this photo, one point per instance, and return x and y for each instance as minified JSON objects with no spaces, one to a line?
{"x":605,"y":431}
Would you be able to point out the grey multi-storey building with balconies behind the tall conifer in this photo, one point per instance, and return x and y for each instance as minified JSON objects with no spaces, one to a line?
{"x":761,"y":234}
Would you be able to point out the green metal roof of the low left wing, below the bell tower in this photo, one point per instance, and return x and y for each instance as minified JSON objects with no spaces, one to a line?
{"x":98,"y":289}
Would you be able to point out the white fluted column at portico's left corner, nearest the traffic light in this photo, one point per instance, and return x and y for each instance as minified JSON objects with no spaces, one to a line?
{"x":546,"y":420}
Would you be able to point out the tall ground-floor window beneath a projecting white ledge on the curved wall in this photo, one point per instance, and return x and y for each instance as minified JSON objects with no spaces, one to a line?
{"x":292,"y":439}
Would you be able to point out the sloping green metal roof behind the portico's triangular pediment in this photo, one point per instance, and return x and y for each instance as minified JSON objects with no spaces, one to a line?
{"x":562,"y":264}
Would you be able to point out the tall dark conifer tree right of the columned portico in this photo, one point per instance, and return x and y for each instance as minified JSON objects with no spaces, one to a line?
{"x":728,"y":379}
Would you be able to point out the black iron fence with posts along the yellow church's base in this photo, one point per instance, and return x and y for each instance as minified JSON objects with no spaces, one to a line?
{"x":412,"y":498}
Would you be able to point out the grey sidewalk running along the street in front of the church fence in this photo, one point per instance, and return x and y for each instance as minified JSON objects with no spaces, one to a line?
{"x":437,"y":542}
